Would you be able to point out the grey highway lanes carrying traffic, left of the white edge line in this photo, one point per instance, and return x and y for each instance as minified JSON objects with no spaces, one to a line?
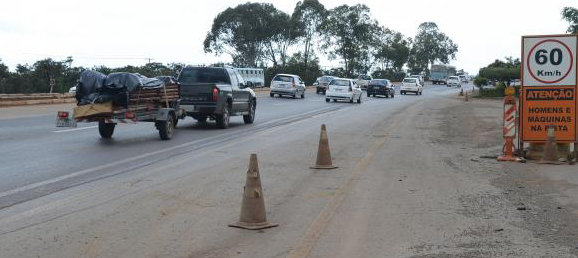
{"x":39,"y":158}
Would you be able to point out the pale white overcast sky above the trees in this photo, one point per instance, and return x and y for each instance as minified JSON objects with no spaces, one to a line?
{"x":118,"y":33}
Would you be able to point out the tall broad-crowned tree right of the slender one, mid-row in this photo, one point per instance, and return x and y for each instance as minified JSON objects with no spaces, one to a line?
{"x":350,"y":34}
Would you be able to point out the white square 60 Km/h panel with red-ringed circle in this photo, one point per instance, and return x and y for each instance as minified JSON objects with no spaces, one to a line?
{"x":549,"y":61}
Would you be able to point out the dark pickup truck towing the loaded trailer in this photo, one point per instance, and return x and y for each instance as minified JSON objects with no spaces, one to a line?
{"x":216,"y":93}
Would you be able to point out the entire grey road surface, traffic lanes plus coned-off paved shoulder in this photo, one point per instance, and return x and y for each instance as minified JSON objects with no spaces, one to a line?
{"x":405,"y":186}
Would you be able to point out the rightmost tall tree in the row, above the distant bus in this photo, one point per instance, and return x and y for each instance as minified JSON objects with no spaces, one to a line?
{"x":430,"y":46}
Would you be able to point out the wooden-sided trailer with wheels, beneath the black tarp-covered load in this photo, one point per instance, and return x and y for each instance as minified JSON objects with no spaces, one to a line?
{"x":160,"y":106}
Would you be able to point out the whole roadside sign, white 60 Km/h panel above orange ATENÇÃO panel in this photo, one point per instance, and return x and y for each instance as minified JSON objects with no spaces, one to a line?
{"x":548,"y":88}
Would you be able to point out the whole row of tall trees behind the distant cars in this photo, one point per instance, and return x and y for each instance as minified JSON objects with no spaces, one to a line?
{"x":260,"y":35}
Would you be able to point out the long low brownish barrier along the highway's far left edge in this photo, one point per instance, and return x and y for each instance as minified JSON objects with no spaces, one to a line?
{"x":9,"y":100}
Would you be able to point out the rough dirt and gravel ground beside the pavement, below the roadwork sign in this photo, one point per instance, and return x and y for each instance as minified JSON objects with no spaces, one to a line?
{"x":543,"y":197}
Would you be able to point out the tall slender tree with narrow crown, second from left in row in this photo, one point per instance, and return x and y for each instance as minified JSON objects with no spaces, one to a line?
{"x":309,"y":15}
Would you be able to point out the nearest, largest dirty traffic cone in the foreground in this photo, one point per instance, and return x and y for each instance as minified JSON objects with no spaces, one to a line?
{"x":253,"y":215}
